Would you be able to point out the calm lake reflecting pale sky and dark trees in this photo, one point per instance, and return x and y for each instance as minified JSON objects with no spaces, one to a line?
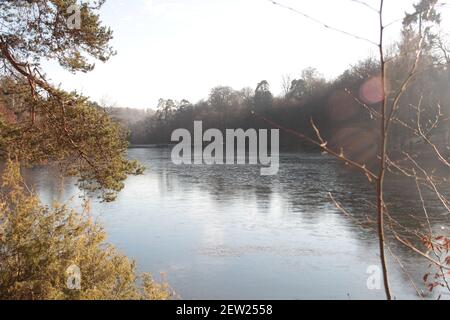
{"x":225,"y":232}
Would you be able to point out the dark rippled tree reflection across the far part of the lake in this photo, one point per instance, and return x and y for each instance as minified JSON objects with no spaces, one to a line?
{"x":298,"y":194}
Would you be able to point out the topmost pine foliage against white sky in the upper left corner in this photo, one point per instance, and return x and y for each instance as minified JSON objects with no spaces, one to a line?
{"x":37,"y":29}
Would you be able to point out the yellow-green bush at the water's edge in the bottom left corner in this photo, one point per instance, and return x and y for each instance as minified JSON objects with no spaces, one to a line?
{"x":38,"y":244}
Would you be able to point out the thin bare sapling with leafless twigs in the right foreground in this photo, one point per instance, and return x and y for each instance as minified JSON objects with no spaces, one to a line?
{"x":435,"y":248}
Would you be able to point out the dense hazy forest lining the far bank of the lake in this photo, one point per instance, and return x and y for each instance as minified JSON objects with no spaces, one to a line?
{"x":345,"y":109}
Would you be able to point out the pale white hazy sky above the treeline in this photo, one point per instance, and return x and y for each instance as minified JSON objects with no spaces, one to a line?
{"x":182,"y":48}
